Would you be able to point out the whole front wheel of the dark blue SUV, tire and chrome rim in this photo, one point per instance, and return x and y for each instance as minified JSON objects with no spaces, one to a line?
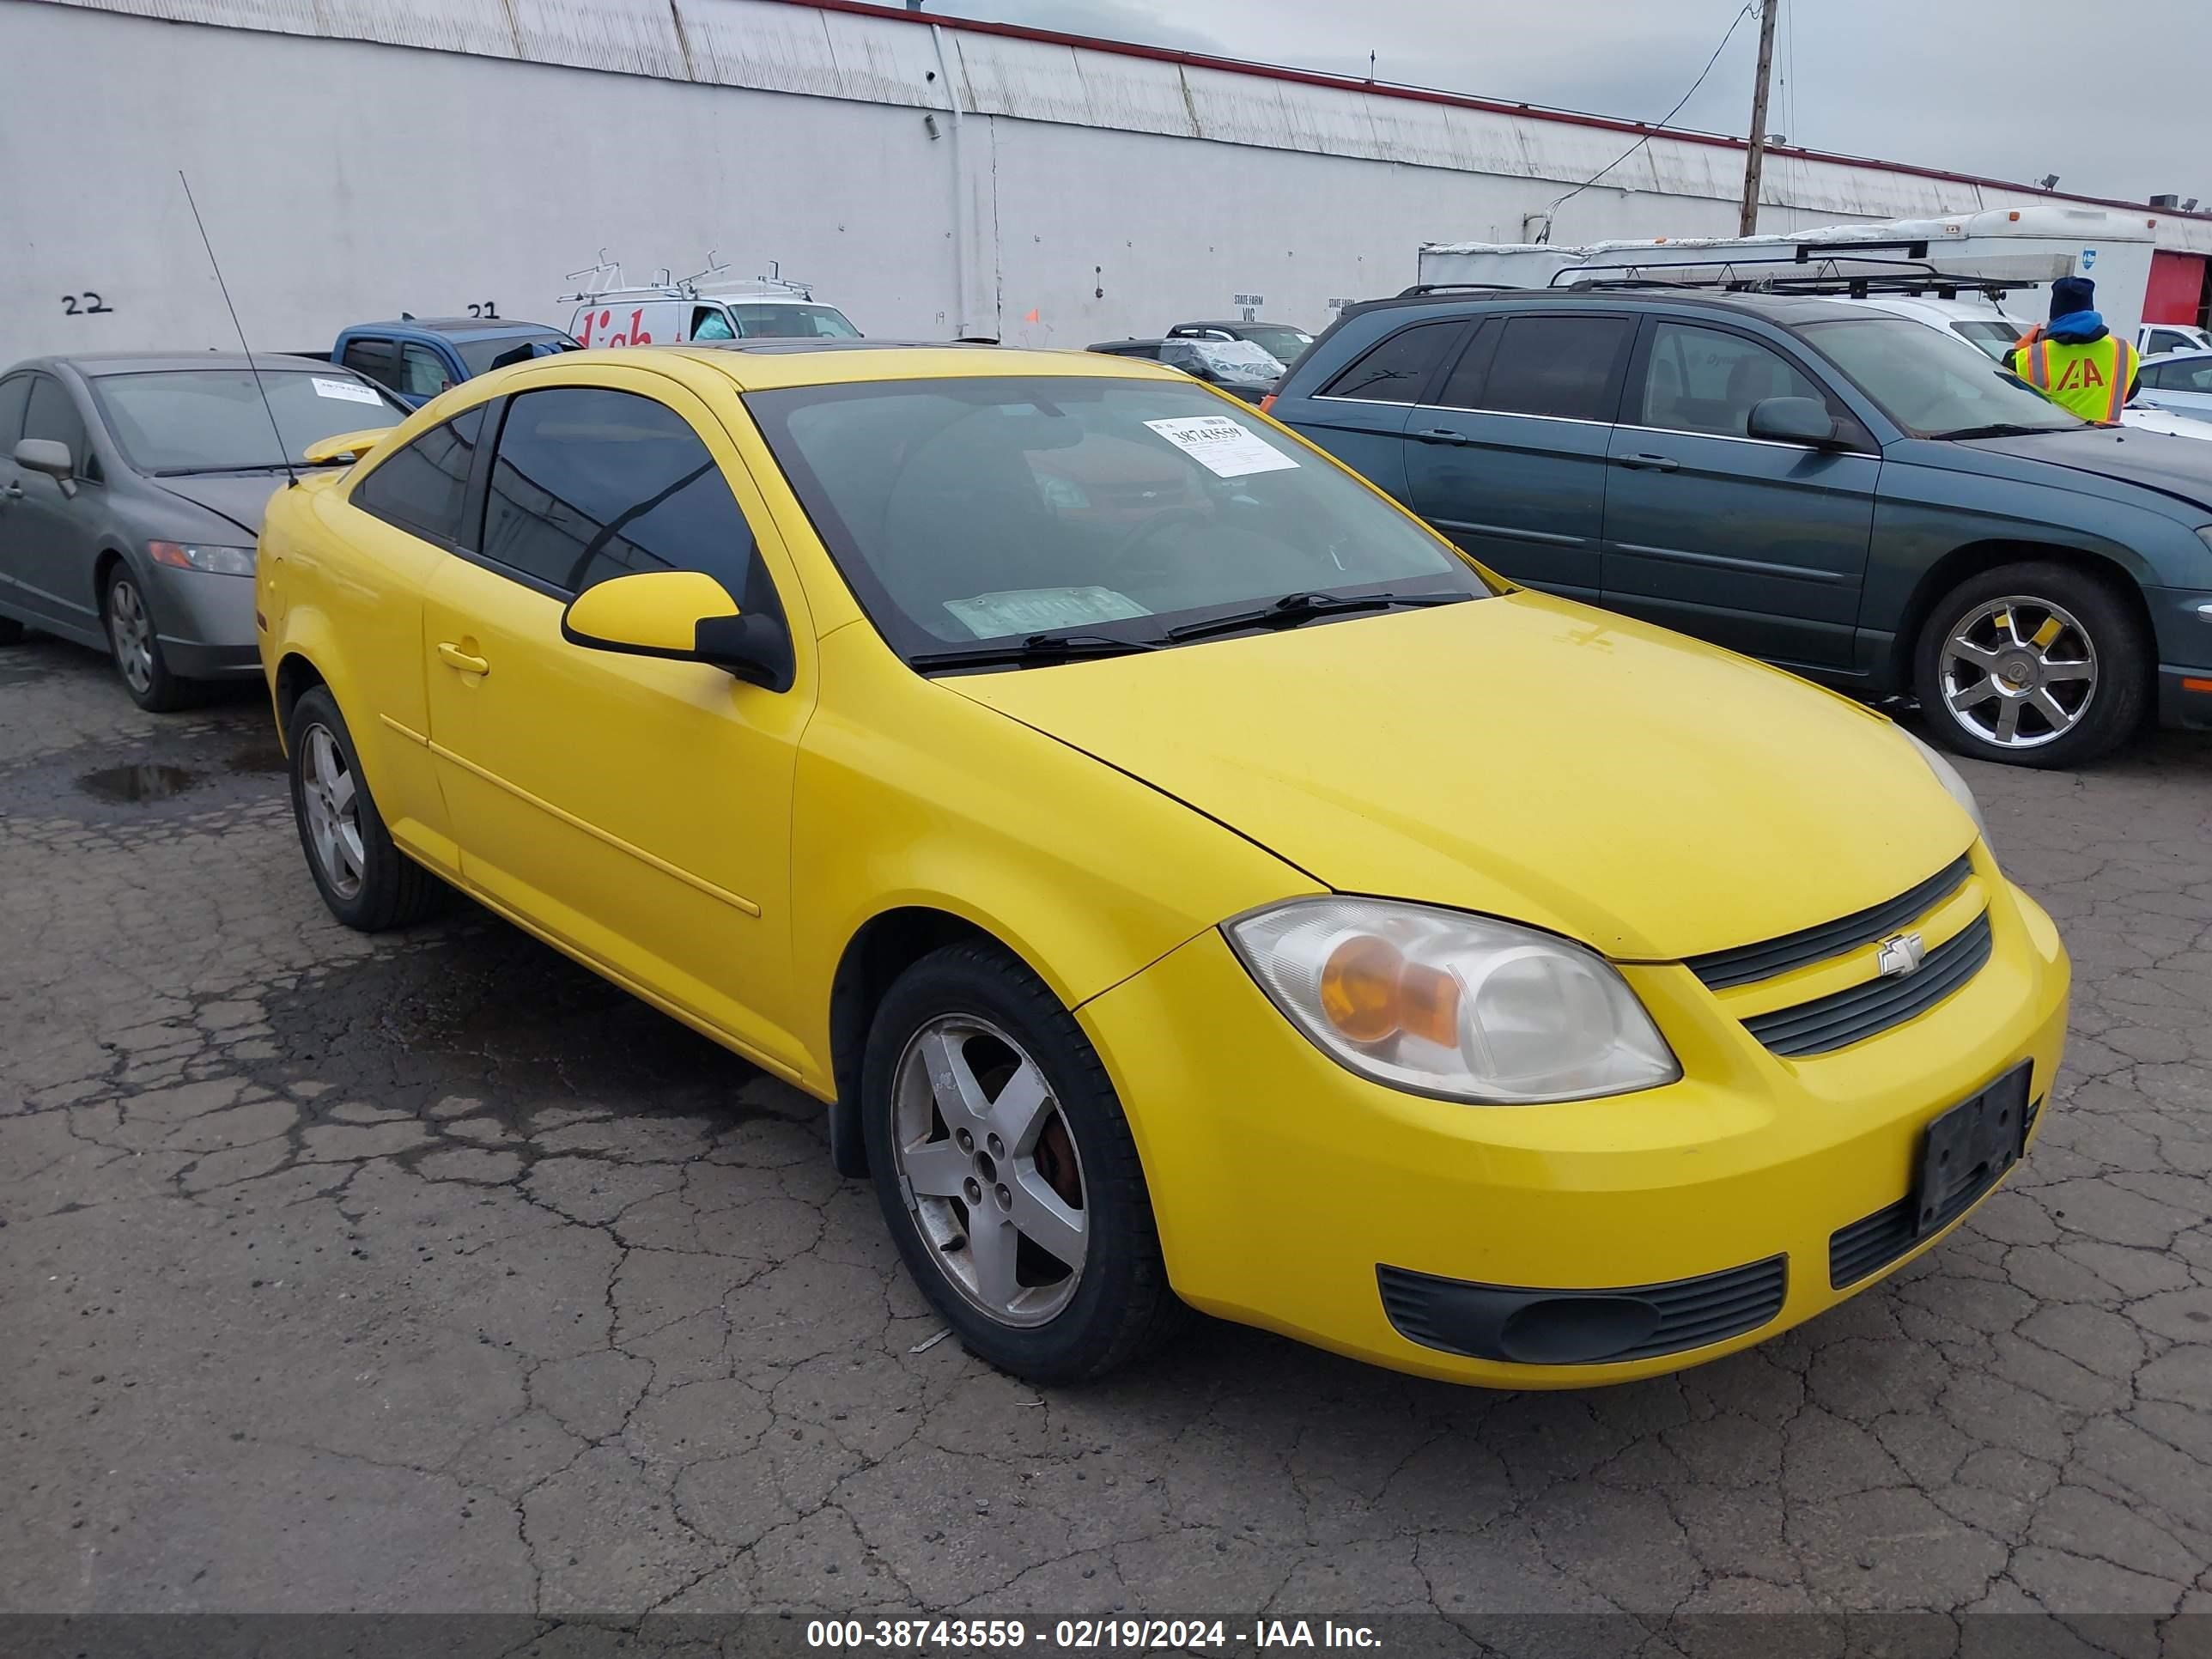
{"x":2032,"y":665}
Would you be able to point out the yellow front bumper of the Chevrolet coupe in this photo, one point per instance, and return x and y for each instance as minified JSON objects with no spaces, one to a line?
{"x":1284,"y":1185}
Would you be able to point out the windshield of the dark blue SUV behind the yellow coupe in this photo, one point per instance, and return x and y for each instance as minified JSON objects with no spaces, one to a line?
{"x":1932,"y":384}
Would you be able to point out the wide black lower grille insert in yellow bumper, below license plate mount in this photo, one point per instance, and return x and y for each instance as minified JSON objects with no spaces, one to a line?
{"x":1583,"y":1326}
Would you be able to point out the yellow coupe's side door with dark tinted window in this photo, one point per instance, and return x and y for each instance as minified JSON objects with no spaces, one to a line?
{"x":636,"y":811}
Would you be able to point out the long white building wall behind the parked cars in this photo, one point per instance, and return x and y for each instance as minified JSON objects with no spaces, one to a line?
{"x":359,"y":158}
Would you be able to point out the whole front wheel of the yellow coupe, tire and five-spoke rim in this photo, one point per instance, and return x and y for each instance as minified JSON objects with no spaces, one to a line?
{"x":1008,"y":1171}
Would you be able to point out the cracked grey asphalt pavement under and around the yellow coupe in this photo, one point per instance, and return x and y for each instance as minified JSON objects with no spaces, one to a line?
{"x":432,"y":1273}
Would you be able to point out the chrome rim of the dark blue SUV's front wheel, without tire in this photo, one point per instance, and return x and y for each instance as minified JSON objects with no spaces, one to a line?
{"x":2018,"y":674}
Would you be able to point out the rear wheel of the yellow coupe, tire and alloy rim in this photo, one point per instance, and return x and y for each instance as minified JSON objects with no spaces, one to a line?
{"x":366,"y":881}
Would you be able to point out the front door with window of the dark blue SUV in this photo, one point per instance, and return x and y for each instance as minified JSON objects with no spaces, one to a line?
{"x":1755,"y":545}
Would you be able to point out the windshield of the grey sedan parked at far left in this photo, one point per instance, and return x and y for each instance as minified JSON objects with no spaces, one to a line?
{"x":189,"y":421}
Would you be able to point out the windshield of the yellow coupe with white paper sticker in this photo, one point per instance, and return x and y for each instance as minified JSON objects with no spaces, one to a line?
{"x":977,"y":510}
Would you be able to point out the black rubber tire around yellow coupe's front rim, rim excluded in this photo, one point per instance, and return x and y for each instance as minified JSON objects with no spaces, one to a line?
{"x":1120,"y":1304}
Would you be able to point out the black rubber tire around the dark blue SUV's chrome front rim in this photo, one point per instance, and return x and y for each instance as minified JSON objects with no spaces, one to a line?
{"x":2118,"y":640}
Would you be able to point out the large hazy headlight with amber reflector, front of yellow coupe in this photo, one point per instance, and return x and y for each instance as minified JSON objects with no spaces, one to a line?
{"x":1452,"y":1005}
